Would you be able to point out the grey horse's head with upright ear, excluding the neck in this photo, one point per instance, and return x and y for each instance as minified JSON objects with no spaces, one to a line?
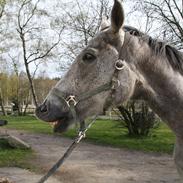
{"x":95,"y":66}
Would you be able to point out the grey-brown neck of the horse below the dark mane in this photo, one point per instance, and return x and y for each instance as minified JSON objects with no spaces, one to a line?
{"x":161,"y":86}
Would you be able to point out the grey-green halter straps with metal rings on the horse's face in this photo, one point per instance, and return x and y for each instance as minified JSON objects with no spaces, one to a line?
{"x":72,"y":100}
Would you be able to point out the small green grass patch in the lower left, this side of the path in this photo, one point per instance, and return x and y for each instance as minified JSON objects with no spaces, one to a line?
{"x":13,"y":157}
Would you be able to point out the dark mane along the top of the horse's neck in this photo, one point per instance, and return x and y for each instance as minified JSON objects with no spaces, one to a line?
{"x":174,"y":57}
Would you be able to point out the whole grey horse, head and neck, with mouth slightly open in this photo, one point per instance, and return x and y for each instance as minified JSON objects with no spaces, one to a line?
{"x":144,"y":68}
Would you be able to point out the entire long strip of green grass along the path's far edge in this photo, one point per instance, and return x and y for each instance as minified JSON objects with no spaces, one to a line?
{"x":104,"y":132}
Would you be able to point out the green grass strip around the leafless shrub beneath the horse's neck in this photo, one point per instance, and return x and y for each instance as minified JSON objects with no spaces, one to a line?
{"x":111,"y":133}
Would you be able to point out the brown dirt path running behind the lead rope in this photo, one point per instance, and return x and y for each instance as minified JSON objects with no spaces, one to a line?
{"x":97,"y":164}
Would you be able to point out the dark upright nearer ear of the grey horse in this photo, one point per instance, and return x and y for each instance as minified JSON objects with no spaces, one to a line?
{"x":117,"y":16}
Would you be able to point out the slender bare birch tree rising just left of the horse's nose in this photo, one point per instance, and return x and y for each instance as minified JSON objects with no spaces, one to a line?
{"x":32,"y":36}
